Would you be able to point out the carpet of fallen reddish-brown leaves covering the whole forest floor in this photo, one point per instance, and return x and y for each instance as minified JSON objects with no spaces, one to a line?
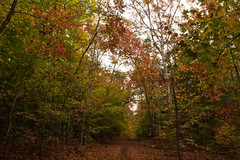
{"x":120,"y":149}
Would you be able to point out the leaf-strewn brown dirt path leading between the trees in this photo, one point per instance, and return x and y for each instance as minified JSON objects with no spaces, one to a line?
{"x":123,"y":150}
